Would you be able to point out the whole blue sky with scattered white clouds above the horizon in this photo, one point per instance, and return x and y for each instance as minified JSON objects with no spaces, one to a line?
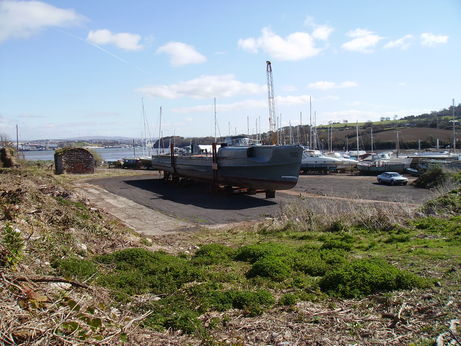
{"x":87,"y":68}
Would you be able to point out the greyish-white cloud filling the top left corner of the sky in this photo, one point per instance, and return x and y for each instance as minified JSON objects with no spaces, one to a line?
{"x":22,"y":19}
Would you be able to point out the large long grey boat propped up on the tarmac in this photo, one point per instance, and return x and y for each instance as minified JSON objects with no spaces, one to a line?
{"x":237,"y":163}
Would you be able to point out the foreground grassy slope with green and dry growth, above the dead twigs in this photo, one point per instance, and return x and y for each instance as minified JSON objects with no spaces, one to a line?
{"x":271,"y":268}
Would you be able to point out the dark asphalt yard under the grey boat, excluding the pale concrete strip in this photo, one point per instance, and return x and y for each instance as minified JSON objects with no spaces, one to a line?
{"x":197,"y":203}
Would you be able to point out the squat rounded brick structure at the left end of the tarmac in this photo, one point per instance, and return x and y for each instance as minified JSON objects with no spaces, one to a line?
{"x":74,"y":161}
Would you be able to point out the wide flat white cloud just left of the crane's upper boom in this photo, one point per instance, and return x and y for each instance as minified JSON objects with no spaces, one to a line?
{"x":204,"y":87}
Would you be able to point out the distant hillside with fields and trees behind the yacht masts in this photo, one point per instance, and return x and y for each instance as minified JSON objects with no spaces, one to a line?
{"x":414,"y":130}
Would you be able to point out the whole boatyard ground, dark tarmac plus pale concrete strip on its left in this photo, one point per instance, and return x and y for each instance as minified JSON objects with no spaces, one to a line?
{"x":152,"y":206}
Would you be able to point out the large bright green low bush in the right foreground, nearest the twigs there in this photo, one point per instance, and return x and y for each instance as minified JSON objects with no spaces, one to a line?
{"x":365,"y":277}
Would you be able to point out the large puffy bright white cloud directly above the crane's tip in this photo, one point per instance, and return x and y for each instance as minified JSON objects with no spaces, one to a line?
{"x":296,"y":46}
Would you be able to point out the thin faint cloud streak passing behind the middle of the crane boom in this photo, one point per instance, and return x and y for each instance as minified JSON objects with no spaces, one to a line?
{"x":246,"y":104}
